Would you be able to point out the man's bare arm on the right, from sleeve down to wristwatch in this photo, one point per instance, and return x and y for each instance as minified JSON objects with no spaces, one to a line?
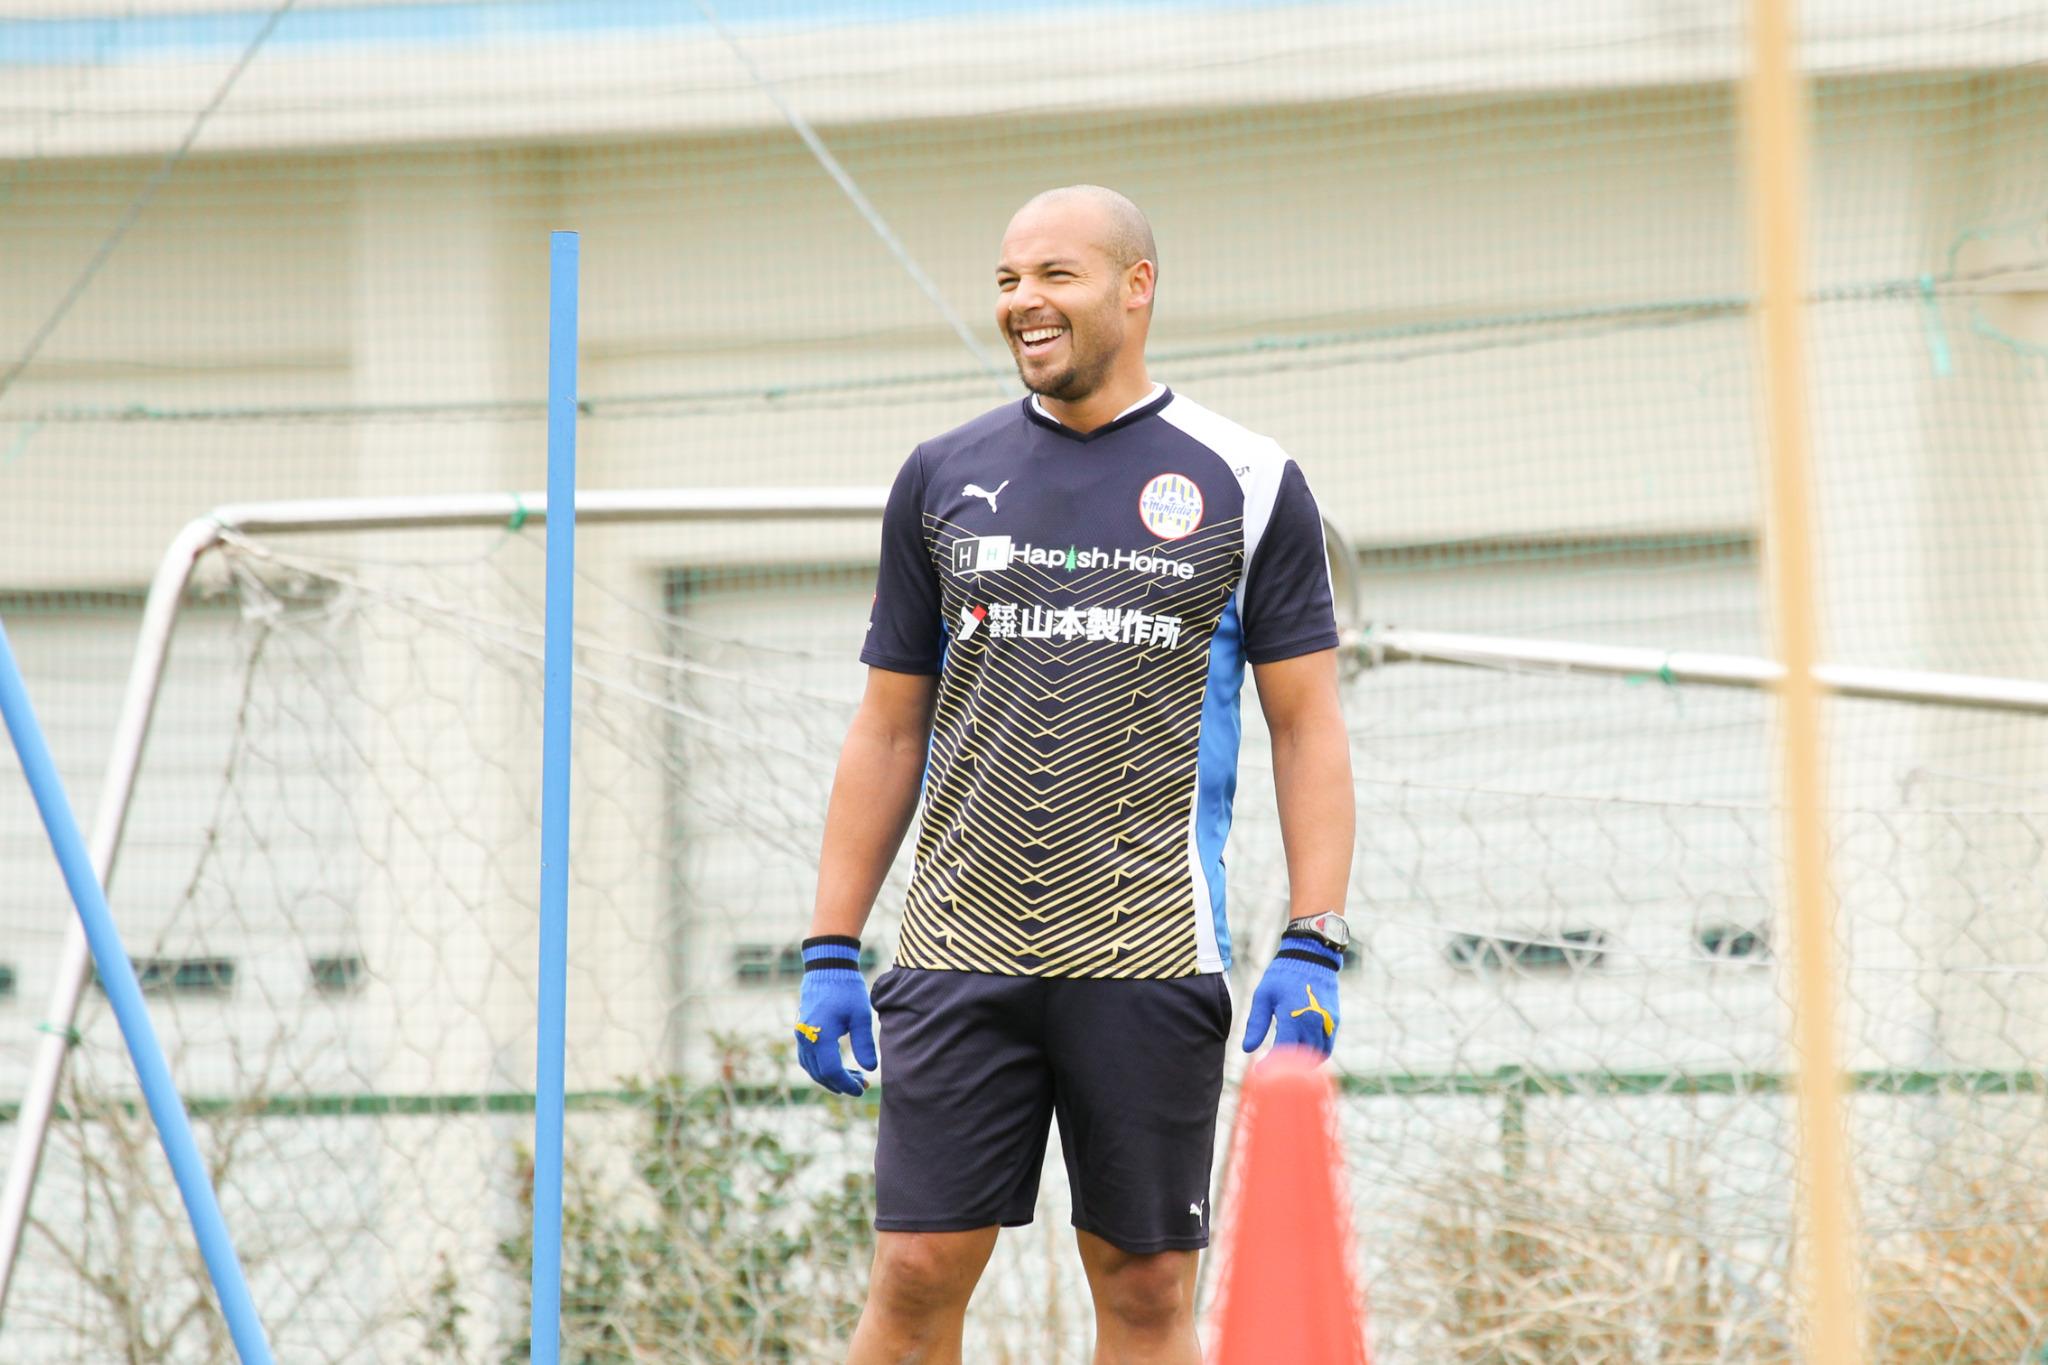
{"x":1312,"y":779}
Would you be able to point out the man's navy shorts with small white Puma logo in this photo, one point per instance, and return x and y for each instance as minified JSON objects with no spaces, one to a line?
{"x":976,"y":1067}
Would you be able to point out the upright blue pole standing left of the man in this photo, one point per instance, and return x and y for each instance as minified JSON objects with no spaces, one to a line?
{"x":558,"y":674}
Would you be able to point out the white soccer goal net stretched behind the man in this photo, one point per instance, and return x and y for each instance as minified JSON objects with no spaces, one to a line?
{"x":1566,"y":1096}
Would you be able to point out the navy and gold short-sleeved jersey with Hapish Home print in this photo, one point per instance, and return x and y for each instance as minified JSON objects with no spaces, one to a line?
{"x":1089,"y":603}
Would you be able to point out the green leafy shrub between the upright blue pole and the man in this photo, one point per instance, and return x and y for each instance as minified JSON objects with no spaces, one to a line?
{"x":726,"y":1241}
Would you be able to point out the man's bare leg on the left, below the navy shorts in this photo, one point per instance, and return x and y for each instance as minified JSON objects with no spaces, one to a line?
{"x":919,"y":1296}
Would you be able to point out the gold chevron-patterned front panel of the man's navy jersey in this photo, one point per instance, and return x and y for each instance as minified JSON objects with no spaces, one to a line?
{"x":1064,"y":760}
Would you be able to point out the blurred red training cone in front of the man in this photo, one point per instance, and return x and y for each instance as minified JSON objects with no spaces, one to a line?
{"x":1287,"y":1290}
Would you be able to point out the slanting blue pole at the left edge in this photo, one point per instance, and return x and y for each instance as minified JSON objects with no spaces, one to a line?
{"x":118,"y":975}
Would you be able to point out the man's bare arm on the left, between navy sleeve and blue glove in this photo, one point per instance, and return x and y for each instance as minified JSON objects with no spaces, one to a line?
{"x":873,"y":797}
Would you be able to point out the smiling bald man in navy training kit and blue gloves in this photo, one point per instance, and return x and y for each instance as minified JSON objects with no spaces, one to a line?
{"x":1068,"y":599}
